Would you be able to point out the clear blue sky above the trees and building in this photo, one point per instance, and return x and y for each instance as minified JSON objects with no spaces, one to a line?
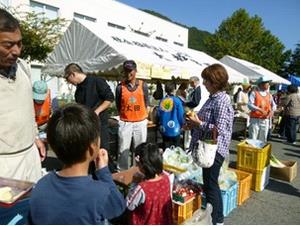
{"x":281,"y":17}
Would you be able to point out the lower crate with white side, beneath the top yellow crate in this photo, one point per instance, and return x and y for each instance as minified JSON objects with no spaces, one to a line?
{"x":260,"y":179}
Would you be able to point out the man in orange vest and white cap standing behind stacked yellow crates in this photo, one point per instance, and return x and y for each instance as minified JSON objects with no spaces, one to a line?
{"x":262,"y":106}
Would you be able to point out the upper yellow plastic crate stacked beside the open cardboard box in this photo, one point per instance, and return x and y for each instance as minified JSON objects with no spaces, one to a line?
{"x":252,"y":158}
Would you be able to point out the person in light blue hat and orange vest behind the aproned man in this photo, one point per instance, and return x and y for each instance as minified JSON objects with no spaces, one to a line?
{"x":42,"y":103}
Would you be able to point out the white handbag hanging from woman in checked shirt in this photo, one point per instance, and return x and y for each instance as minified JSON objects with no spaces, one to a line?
{"x":204,"y":155}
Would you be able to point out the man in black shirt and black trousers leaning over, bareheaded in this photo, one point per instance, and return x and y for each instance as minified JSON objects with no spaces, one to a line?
{"x":93,"y":92}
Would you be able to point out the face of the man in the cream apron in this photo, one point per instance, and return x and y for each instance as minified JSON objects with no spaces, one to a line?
{"x":10,"y":47}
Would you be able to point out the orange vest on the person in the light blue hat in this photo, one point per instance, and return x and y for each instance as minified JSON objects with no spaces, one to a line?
{"x":43,"y":111}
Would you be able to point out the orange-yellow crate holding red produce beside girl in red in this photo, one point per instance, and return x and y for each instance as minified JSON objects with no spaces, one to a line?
{"x":184,"y":211}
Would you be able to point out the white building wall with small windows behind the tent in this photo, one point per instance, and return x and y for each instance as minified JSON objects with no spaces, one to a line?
{"x":114,"y":12}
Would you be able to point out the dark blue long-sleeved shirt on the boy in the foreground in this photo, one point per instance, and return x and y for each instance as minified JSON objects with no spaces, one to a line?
{"x":75,"y":200}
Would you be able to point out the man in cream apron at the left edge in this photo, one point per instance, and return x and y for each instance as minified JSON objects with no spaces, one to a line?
{"x":21,"y":151}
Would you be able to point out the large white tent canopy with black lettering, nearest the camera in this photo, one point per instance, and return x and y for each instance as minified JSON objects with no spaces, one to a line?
{"x":97,"y":49}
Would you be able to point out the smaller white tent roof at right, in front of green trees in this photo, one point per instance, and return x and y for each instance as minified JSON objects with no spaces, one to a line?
{"x":253,"y":71}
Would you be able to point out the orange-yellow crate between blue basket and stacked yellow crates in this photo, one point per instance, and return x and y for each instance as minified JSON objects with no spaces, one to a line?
{"x":244,"y":187}
